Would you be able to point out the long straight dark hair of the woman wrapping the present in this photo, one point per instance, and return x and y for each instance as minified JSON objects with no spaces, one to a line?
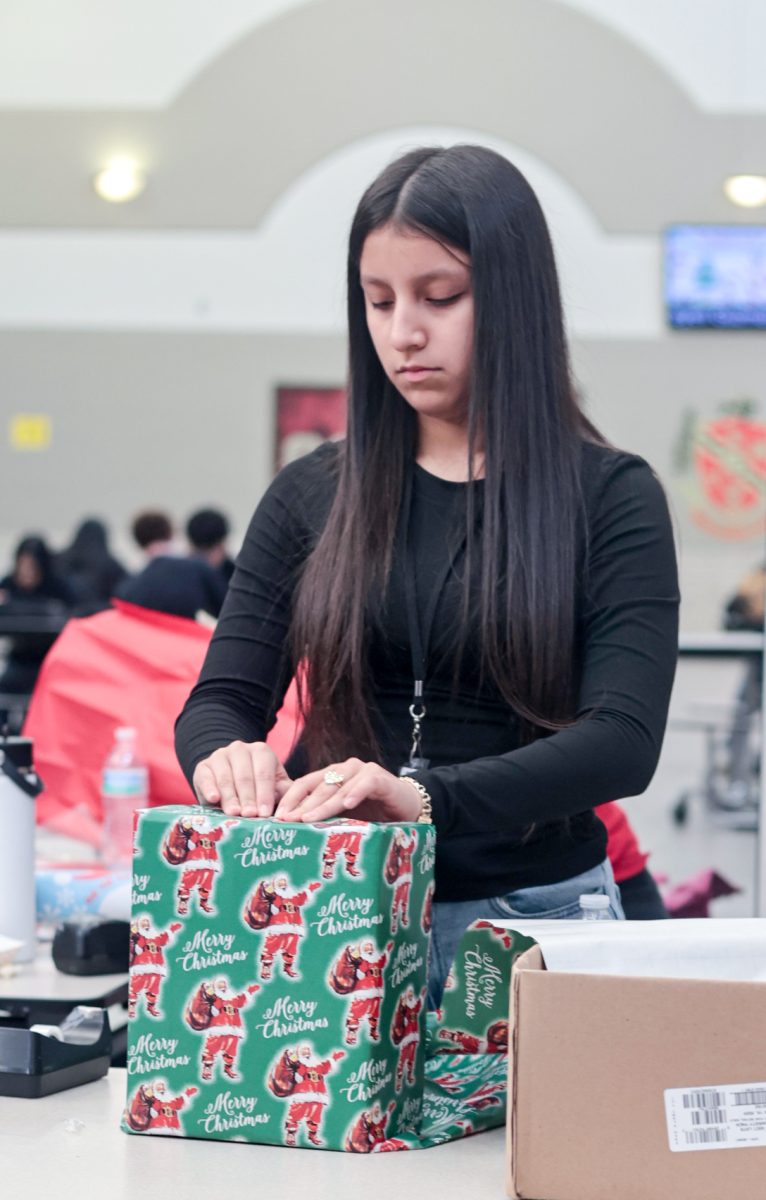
{"x":524,"y":415}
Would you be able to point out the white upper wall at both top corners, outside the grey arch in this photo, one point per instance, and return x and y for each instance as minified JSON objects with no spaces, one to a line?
{"x":141,"y":55}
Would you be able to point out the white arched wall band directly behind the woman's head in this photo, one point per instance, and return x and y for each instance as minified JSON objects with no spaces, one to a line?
{"x":288,"y":277}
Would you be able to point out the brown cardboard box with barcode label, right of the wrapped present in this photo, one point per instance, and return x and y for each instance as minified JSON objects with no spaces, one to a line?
{"x":595,"y":1063}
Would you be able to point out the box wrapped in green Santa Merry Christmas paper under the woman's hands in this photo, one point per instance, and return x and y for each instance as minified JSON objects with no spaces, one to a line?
{"x":278,"y":980}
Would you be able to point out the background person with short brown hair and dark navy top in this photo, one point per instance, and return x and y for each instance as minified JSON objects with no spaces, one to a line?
{"x":171,"y":584}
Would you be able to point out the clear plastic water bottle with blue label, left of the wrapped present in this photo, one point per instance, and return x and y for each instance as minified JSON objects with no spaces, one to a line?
{"x":124,"y":789}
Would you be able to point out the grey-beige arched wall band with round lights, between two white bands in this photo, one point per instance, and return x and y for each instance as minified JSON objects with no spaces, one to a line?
{"x":547,"y":77}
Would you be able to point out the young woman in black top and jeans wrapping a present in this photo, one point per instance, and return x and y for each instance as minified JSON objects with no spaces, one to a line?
{"x":482,"y":592}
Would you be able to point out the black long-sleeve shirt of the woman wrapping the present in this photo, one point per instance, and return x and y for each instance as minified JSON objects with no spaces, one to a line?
{"x":487,"y":789}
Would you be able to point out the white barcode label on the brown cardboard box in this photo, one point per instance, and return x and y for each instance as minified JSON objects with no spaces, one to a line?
{"x":723,"y":1117}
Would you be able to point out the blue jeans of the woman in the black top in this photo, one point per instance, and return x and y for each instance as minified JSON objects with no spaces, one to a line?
{"x":554,"y":902}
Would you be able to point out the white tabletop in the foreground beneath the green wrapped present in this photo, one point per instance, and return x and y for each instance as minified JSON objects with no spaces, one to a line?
{"x":100,"y":1160}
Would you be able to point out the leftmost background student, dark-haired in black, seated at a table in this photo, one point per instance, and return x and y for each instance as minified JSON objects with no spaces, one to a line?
{"x":33,"y":589}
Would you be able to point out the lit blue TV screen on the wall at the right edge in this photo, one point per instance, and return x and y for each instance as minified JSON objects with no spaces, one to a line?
{"x":716,"y":277}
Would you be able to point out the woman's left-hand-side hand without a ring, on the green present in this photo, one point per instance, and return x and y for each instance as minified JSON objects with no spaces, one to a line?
{"x":244,"y":778}
